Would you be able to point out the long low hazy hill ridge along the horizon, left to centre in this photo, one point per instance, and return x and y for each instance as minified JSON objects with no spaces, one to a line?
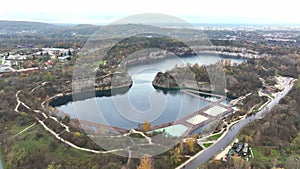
{"x":18,"y":26}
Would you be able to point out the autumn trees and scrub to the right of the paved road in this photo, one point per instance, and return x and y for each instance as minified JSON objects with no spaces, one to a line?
{"x":275,"y":139}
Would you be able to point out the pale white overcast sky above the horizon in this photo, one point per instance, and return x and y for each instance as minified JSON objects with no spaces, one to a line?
{"x":192,"y":11}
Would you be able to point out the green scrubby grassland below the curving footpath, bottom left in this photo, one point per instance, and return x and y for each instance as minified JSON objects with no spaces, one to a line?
{"x":37,"y":144}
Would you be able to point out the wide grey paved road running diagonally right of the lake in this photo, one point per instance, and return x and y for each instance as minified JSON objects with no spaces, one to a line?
{"x":231,"y":134}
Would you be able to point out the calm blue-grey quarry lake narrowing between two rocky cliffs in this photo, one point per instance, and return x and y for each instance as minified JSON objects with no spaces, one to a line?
{"x":143,"y":102}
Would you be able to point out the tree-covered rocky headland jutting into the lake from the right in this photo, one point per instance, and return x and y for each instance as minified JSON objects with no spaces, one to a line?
{"x":240,"y":80}
